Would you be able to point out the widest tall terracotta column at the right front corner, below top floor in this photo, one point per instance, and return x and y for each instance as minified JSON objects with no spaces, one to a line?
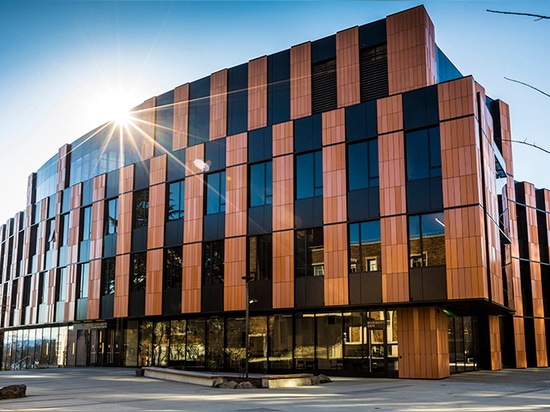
{"x":462,"y":191}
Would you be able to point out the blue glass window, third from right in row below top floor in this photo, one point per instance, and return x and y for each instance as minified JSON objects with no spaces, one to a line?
{"x":309,"y":175}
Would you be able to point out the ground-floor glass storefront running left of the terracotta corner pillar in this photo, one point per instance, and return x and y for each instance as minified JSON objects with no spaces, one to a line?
{"x":362,"y":343}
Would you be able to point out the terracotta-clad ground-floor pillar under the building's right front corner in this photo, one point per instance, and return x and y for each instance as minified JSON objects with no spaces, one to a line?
{"x":423,"y":343}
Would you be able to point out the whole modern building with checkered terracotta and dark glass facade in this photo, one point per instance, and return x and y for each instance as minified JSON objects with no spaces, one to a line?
{"x":359,"y":186}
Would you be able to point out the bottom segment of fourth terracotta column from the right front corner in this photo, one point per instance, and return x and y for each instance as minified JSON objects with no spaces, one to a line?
{"x":283,"y":269}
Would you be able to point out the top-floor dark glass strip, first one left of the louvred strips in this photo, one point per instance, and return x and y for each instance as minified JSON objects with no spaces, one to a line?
{"x":278,"y":87}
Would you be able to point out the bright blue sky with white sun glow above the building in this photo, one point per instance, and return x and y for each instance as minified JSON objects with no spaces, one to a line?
{"x":64,"y":64}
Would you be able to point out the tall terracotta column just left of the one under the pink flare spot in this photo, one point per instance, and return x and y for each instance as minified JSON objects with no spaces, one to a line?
{"x":155,"y":236}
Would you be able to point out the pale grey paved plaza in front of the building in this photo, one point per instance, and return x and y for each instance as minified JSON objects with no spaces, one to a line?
{"x":118,"y":389}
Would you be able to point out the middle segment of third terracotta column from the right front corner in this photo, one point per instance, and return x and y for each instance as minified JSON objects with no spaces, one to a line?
{"x":334,"y":192}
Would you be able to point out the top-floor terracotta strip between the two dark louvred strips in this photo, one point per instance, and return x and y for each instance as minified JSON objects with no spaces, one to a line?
{"x":347,"y":67}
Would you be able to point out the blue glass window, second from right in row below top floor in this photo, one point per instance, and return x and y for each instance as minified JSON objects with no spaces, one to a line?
{"x":363,"y":165}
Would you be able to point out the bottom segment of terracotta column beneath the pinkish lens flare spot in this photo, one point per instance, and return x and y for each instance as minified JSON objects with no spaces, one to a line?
{"x":191,"y":278}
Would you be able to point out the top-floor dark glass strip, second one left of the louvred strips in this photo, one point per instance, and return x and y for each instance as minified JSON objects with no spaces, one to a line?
{"x":237,"y":99}
